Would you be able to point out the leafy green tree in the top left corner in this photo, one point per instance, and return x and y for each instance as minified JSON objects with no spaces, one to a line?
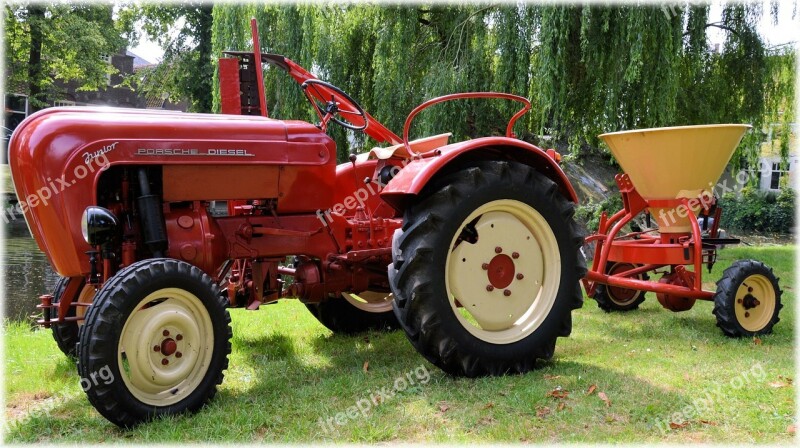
{"x":47,"y":42}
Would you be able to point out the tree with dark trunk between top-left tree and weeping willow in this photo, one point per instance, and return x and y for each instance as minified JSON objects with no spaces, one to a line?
{"x":186,"y":71}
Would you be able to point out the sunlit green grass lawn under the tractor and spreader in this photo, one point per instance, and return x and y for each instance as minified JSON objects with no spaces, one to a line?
{"x":287,"y":372}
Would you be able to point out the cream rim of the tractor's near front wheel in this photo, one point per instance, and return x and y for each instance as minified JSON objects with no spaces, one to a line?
{"x":165,"y":347}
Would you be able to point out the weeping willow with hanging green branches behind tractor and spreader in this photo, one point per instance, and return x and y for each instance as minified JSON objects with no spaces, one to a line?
{"x":587,"y":69}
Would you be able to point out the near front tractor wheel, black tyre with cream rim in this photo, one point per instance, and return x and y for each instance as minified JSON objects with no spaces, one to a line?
{"x":158,"y":338}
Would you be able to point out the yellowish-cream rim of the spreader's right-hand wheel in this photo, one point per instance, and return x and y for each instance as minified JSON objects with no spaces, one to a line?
{"x":755,"y":303}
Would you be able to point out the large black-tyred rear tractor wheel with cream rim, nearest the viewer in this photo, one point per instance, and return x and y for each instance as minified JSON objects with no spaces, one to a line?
{"x":485,"y":270}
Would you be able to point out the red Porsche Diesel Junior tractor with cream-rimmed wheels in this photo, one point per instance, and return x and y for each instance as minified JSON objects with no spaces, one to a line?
{"x":160,"y":221}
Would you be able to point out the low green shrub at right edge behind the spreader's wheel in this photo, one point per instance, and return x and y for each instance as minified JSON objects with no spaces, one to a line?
{"x":759,"y":211}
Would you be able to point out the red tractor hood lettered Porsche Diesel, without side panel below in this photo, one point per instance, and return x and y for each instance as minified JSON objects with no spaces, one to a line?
{"x":57,"y":156}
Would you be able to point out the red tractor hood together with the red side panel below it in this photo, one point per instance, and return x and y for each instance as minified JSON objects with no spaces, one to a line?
{"x":57,"y":156}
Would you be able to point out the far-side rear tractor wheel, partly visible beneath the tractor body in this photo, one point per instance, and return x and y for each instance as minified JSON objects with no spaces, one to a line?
{"x":356,"y":313}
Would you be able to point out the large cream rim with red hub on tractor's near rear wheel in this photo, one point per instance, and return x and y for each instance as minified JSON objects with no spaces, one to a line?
{"x":502,"y":280}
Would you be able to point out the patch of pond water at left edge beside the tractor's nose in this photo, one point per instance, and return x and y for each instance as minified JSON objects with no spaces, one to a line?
{"x":26,"y":271}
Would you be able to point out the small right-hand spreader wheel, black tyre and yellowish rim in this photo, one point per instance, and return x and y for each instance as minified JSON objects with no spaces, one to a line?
{"x":748,"y":299}
